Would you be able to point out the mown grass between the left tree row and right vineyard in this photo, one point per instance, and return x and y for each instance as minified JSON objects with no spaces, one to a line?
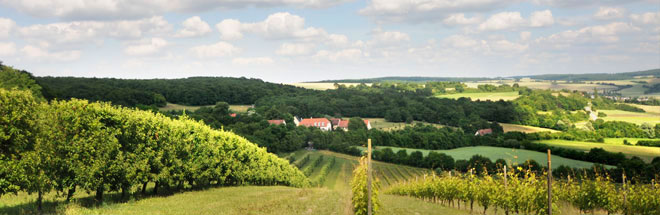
{"x":331,"y":197}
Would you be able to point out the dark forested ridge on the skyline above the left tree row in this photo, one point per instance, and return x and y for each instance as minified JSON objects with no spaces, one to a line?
{"x":156,"y":92}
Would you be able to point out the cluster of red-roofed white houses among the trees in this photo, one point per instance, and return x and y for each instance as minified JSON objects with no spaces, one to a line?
{"x":322,"y":123}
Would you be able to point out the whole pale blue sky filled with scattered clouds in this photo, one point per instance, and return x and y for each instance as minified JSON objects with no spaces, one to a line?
{"x":287,"y":41}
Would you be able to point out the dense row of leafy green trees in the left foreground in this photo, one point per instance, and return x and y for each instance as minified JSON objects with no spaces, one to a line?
{"x":70,"y":145}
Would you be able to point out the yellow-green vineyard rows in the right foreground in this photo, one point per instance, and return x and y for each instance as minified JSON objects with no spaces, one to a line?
{"x":523,"y":192}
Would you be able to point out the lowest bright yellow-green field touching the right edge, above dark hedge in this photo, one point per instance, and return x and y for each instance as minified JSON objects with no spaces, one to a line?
{"x":645,"y":153}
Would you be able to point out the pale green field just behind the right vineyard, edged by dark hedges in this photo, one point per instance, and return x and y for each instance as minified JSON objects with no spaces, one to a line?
{"x":512,"y":156}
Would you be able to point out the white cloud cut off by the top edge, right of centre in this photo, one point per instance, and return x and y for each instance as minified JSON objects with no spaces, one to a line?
{"x":426,"y":10}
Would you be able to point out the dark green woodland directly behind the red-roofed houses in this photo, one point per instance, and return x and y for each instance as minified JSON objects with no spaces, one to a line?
{"x":394,"y":106}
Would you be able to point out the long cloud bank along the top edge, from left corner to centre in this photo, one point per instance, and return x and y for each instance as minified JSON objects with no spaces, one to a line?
{"x":123,"y":9}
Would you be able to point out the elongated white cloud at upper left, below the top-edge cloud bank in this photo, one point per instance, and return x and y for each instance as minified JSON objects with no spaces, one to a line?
{"x":85,"y":31}
